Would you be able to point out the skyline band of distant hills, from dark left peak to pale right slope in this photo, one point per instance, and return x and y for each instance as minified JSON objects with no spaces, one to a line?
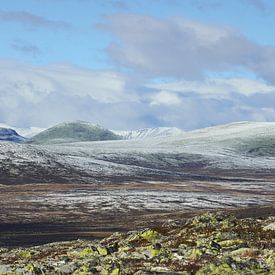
{"x":257,"y":138}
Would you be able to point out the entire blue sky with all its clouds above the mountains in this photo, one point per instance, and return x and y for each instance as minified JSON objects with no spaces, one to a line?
{"x":130,"y":64}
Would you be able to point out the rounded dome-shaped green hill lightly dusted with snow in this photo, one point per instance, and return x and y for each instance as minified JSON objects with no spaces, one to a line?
{"x":73,"y":132}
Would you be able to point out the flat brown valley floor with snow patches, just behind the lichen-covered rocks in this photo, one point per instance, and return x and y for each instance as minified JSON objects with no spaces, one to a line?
{"x":35,"y":214}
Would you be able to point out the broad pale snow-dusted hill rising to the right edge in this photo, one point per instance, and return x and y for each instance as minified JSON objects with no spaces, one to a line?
{"x":240,"y":138}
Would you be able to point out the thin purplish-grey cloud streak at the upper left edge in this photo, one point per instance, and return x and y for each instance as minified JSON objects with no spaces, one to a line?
{"x":30,"y":19}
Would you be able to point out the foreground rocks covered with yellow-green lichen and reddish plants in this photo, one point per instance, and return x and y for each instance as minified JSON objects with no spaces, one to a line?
{"x":212,"y":243}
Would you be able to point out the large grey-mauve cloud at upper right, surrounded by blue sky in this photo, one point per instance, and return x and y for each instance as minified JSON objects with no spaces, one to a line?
{"x":184,"y":48}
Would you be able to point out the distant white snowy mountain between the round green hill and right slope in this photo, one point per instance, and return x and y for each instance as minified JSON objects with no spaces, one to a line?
{"x":157,"y":132}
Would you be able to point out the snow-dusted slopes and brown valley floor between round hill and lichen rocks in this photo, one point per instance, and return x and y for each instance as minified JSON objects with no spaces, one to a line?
{"x":65,"y":191}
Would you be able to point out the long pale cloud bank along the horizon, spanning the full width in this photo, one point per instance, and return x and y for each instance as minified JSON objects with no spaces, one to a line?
{"x":45,"y":95}
